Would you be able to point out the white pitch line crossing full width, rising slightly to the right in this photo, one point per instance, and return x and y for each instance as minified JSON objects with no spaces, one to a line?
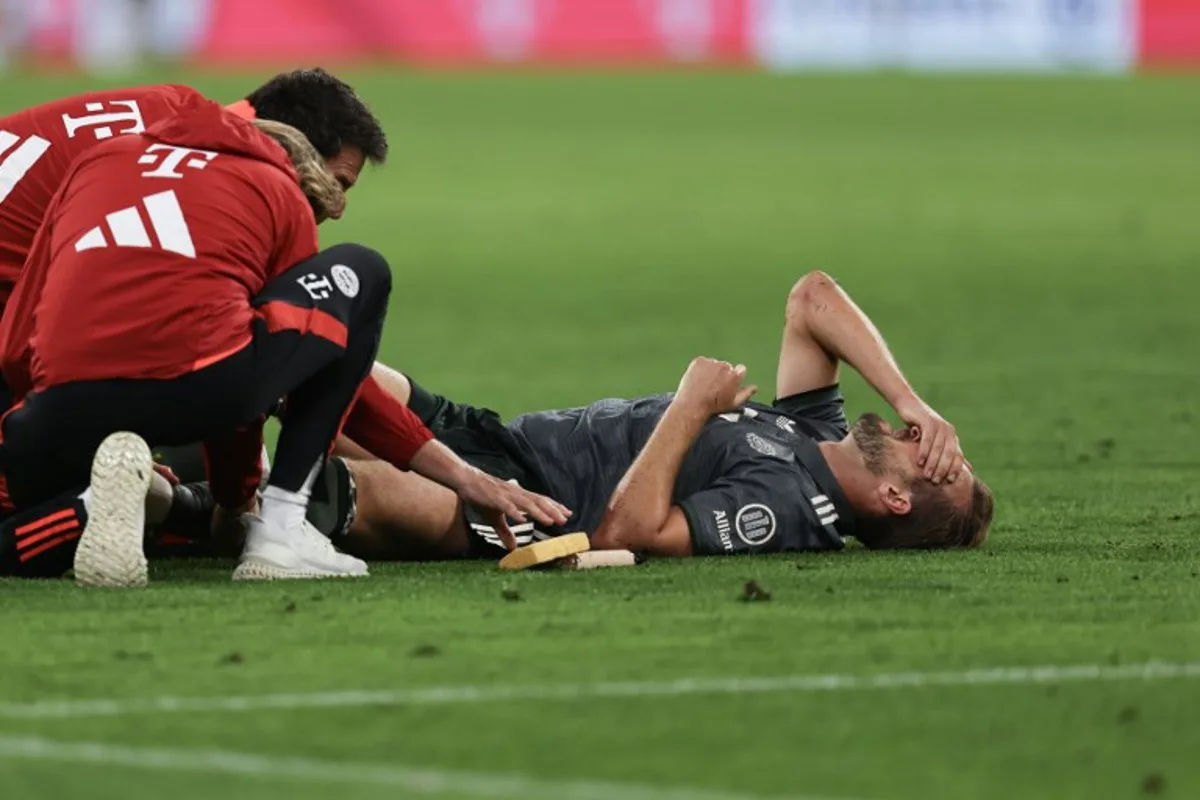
{"x":467,"y":695}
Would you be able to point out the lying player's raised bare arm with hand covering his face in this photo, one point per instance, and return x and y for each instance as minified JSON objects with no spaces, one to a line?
{"x":826,"y":327}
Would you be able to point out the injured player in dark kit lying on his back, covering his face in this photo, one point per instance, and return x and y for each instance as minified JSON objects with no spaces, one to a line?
{"x":701,"y":472}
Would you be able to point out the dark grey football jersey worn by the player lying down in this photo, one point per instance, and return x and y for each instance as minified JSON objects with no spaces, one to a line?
{"x":753,"y":483}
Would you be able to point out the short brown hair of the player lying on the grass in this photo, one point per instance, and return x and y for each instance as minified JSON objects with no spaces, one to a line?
{"x":934,"y":521}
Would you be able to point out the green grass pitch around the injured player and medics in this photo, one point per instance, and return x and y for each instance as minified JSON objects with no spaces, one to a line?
{"x":1030,"y":248}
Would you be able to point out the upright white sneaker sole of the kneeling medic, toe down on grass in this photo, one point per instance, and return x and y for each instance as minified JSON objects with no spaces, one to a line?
{"x":111,"y":550}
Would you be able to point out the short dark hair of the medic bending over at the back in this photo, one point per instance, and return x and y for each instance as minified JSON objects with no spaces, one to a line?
{"x":326,"y":110}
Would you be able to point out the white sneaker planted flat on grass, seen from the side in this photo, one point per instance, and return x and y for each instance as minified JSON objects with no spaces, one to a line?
{"x":273,"y":554}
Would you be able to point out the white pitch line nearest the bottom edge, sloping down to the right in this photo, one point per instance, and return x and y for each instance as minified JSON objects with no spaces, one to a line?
{"x":406,"y":779}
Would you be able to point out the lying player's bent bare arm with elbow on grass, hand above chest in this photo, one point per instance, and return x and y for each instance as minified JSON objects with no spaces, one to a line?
{"x":641,"y":516}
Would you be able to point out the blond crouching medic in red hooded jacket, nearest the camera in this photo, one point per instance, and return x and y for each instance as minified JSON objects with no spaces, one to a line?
{"x":181,"y":302}
